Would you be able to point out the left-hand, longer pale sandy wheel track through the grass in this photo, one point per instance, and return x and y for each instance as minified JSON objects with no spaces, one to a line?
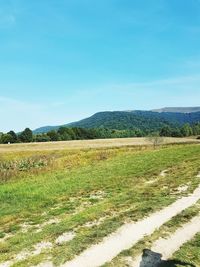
{"x":129,"y":234}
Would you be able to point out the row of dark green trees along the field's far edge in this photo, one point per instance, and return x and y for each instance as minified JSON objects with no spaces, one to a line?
{"x":76,"y":133}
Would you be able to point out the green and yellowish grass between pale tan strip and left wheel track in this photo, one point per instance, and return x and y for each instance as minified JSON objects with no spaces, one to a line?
{"x":66,"y":187}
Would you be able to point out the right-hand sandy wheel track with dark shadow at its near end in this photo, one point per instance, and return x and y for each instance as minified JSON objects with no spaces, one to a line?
{"x":167,"y":247}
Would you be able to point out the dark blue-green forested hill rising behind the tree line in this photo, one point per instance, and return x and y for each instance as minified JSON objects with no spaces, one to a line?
{"x":122,"y":120}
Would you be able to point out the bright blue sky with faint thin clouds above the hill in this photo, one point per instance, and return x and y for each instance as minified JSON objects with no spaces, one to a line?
{"x":63,"y":60}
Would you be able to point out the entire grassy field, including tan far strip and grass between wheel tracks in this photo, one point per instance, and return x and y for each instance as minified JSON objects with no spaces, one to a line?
{"x":50,"y":189}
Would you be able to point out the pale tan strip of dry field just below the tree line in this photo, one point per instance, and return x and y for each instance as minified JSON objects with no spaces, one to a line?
{"x":85,"y":144}
